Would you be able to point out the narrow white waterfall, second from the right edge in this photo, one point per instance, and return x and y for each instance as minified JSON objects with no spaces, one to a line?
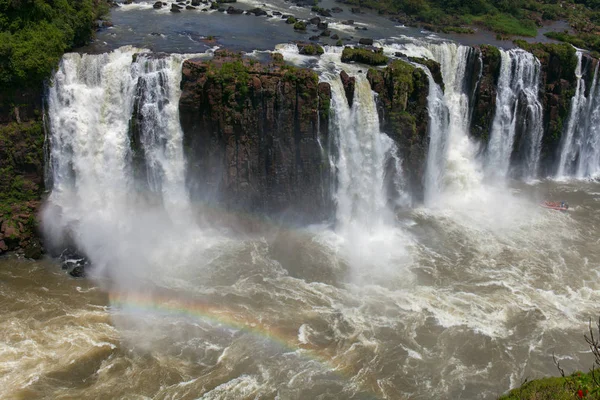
{"x":518,"y":113}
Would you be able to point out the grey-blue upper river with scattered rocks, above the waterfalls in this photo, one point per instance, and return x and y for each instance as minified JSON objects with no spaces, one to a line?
{"x":138,"y":24}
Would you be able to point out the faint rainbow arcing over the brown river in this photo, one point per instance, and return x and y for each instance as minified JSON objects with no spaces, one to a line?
{"x":170,"y":305}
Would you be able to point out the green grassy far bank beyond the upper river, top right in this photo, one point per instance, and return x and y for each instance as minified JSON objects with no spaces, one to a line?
{"x":506,"y":17}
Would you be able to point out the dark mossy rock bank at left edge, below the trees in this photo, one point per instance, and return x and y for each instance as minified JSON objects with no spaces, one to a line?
{"x":21,"y":171}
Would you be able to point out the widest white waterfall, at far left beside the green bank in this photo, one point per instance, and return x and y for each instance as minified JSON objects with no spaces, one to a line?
{"x":105,"y":111}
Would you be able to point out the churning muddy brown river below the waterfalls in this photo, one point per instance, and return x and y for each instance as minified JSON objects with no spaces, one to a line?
{"x":463,"y":301}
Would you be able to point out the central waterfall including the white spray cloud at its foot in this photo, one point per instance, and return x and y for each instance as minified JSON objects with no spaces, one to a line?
{"x":365,"y":224}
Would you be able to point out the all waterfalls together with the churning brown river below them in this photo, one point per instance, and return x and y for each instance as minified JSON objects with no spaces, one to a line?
{"x":464,"y":297}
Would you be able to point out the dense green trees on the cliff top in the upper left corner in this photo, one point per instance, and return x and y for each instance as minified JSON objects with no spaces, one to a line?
{"x":34,"y":34}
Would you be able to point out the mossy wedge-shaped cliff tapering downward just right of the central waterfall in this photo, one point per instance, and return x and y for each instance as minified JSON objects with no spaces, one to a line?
{"x":403,"y":90}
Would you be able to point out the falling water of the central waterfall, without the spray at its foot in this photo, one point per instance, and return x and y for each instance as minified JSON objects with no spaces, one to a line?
{"x":362,"y":154}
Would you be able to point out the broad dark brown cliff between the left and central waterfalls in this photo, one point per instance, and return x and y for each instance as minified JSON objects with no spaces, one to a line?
{"x":256,"y":136}
